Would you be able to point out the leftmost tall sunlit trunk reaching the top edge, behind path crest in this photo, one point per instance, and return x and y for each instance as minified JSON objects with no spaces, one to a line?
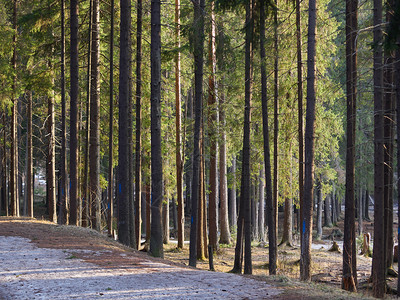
{"x":14,"y":124}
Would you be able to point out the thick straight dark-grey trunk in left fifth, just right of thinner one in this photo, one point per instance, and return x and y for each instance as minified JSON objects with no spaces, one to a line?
{"x":74,"y":71}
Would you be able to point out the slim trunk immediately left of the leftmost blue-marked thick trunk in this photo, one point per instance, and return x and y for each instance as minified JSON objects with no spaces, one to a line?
{"x":110,"y":215}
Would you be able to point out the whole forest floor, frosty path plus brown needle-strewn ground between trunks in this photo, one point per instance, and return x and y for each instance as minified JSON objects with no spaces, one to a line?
{"x":40,"y":260}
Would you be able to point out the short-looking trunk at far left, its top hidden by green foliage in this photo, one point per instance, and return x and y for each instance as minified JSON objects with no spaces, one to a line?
{"x":29,"y":173}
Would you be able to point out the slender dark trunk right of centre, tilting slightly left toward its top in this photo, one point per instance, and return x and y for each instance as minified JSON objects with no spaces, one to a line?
{"x":270,"y":213}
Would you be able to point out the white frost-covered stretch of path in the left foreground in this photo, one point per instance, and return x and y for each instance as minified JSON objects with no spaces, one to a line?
{"x":28,"y":272}
